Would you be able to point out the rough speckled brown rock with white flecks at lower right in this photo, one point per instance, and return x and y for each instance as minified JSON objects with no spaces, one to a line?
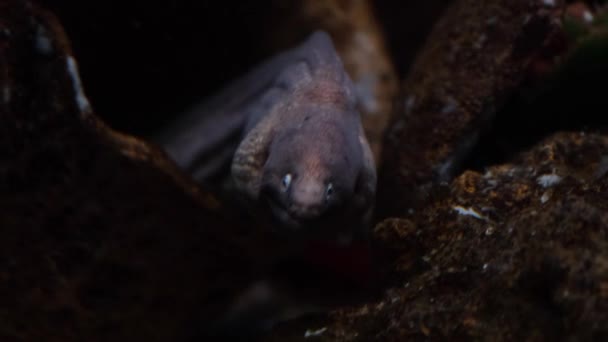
{"x":516,"y":253}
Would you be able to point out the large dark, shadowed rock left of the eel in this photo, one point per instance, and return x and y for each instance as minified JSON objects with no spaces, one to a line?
{"x":102,"y":238}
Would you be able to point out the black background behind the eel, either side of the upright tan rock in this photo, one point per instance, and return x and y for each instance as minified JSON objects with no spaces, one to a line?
{"x":143,"y":61}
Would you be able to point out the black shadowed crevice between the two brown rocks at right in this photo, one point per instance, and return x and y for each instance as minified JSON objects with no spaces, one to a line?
{"x":568,"y":101}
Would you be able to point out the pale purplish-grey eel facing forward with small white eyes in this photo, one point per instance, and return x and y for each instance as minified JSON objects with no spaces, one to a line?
{"x":292,"y":134}
